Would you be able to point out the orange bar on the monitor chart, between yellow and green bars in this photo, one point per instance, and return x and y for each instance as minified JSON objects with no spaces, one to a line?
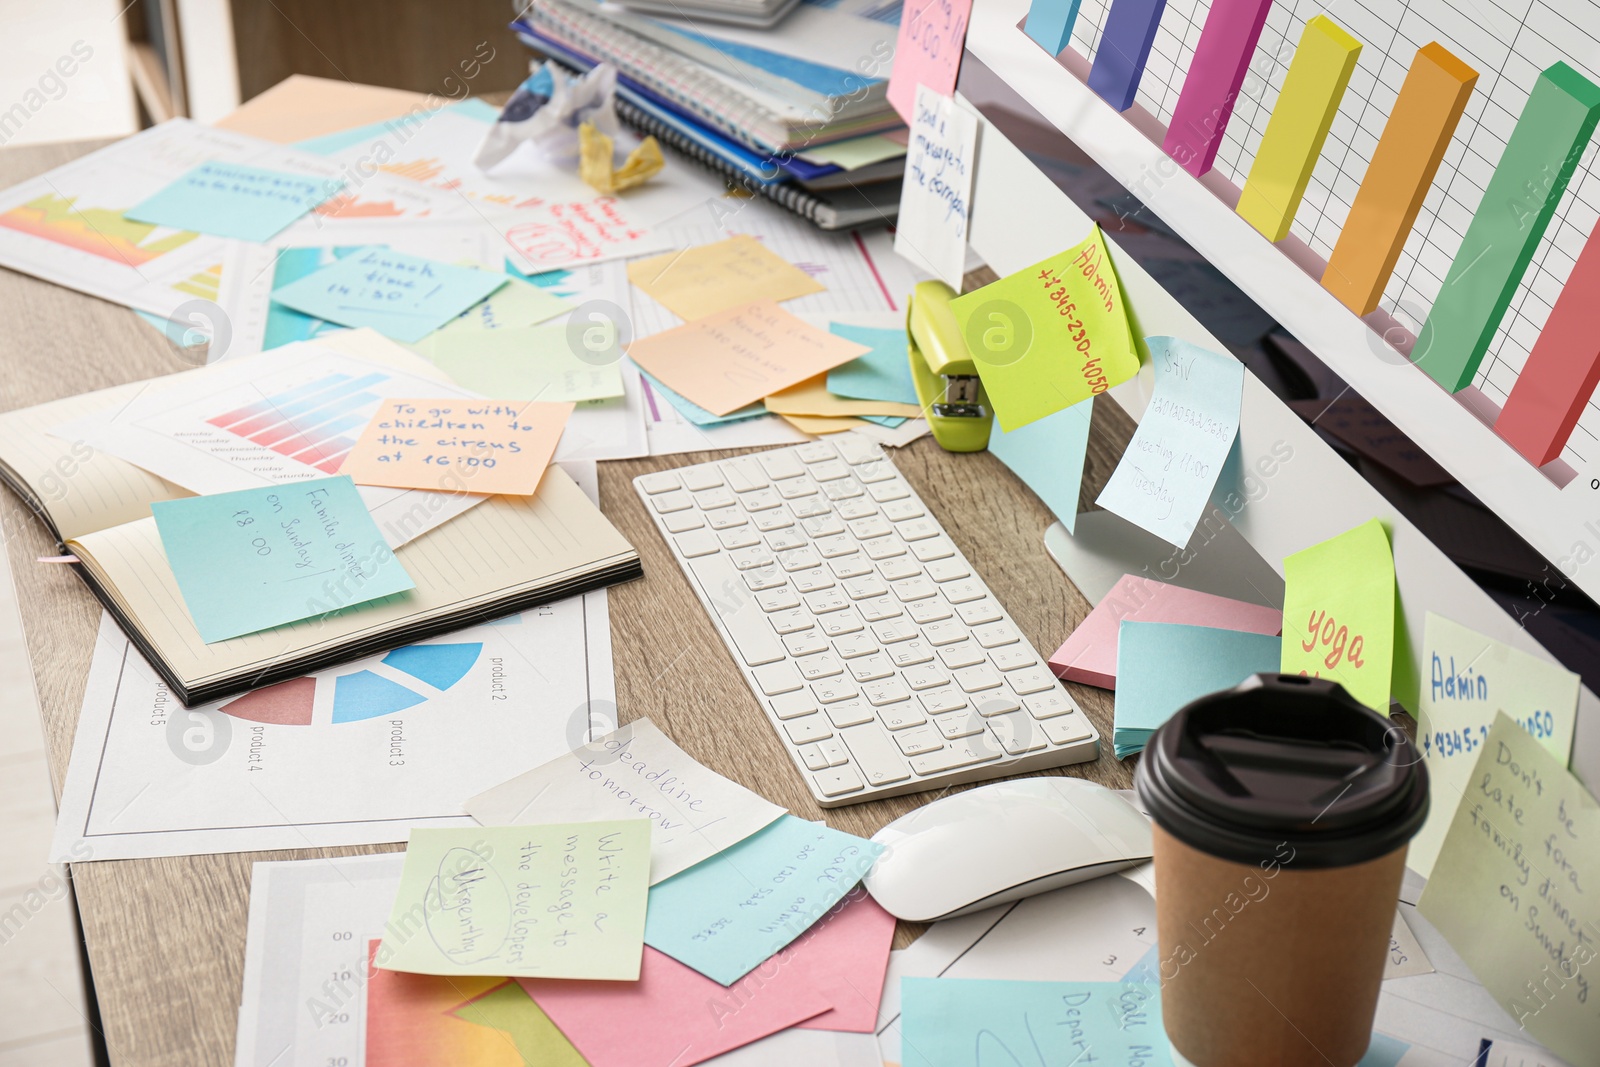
{"x":1415,"y":138}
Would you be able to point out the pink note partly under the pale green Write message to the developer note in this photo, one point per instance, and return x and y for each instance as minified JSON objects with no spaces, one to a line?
{"x":674,"y":1015}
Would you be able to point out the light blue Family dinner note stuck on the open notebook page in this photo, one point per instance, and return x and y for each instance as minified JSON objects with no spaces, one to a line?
{"x":278,"y":554}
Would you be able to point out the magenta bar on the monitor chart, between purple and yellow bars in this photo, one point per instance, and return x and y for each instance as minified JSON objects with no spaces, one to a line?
{"x":1215,"y":78}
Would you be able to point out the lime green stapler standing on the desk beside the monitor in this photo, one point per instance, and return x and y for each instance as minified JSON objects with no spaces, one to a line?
{"x":953,"y":398}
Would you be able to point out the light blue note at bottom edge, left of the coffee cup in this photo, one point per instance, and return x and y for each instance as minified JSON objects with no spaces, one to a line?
{"x":959,"y":1023}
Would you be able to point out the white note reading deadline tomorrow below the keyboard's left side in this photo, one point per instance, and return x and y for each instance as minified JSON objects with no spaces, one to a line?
{"x":634,"y":773}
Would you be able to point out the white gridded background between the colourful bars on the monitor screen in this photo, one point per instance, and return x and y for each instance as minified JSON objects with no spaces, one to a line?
{"x":1508,"y":42}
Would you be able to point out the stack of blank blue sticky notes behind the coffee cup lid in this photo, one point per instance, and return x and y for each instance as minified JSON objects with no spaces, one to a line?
{"x":1164,"y":666}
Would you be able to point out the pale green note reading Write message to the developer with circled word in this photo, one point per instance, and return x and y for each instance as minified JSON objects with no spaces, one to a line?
{"x":526,"y":901}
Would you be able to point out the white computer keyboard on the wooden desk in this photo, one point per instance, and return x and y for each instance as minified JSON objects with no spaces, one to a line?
{"x":876,"y":652}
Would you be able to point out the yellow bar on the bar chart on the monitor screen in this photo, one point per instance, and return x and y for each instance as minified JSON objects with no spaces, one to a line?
{"x":1300,"y":122}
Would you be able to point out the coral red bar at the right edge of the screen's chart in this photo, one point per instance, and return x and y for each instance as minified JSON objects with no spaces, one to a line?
{"x":1562,"y":370}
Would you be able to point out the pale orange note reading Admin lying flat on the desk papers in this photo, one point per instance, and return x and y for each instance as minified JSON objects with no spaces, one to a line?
{"x":710,"y":279}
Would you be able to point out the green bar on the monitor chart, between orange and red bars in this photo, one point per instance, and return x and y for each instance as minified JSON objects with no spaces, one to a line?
{"x":1500,"y":242}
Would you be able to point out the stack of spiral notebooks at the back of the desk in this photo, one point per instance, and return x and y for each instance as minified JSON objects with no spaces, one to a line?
{"x":767,"y":110}
